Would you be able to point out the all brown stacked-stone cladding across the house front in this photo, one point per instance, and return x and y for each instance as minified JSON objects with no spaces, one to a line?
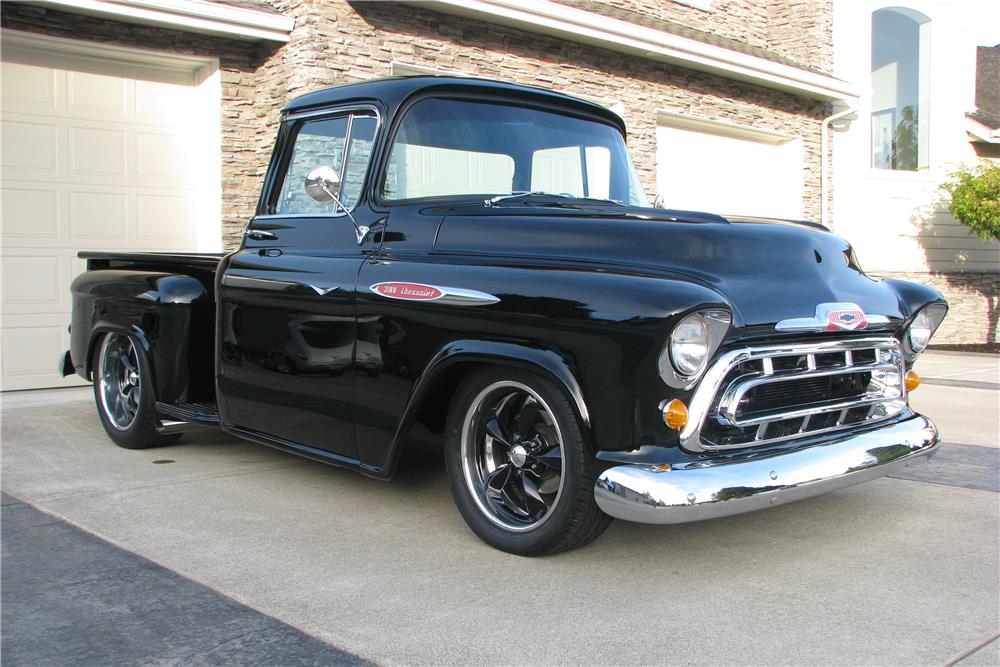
{"x":336,"y":42}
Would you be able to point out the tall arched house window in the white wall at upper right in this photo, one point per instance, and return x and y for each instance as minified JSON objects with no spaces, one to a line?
{"x":900,"y":109}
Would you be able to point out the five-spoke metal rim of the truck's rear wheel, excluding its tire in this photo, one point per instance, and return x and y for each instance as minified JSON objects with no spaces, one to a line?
{"x":120,"y":380}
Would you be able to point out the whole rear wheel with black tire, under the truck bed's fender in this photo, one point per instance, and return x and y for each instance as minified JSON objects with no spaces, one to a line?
{"x":124,"y":395}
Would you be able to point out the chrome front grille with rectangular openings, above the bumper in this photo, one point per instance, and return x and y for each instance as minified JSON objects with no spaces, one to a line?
{"x":762,"y":395}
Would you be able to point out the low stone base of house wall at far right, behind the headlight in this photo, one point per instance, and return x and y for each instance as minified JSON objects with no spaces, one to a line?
{"x":974,"y":305}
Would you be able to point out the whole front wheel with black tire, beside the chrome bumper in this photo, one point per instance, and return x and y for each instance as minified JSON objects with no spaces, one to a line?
{"x":505,"y":481}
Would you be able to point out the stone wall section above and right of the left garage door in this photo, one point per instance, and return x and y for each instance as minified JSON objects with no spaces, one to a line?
{"x":244,"y":145}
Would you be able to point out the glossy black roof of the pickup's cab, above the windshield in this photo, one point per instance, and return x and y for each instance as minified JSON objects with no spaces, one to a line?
{"x":394,"y":91}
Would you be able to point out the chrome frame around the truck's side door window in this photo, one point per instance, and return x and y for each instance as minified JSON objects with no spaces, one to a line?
{"x":293,"y":124}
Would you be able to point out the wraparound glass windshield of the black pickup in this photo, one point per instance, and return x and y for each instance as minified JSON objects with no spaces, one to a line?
{"x":448,"y":147}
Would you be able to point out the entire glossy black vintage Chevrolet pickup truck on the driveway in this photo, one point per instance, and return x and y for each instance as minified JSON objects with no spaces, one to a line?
{"x":479,"y":259}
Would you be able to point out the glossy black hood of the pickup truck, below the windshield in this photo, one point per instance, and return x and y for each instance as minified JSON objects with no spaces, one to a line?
{"x":767,"y":270}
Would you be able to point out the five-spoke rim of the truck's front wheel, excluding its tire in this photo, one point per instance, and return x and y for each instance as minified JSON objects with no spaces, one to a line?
{"x":511,"y":453}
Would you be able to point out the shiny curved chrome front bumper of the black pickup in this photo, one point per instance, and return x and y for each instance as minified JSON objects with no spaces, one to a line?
{"x":710,"y":489}
